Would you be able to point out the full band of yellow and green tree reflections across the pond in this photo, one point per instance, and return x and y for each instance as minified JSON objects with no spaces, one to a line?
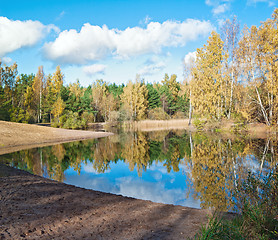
{"x":215,"y":164}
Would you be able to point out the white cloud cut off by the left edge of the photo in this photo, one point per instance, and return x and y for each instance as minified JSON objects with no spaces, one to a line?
{"x":18,"y":34}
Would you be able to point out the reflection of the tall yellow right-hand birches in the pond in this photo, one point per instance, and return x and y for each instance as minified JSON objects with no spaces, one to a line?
{"x":218,"y":164}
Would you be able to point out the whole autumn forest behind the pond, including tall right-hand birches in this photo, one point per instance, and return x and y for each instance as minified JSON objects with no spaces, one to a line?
{"x":234,"y":76}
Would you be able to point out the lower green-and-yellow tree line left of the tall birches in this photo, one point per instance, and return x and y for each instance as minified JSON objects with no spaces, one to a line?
{"x":44,"y":98}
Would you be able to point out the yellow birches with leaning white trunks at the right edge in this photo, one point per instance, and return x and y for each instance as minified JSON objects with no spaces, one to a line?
{"x":257,"y":53}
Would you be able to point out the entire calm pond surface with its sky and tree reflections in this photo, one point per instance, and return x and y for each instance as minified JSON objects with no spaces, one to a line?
{"x":173,"y":167}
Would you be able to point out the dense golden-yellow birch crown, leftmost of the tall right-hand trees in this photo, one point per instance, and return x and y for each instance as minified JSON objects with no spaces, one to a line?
{"x":208,"y":86}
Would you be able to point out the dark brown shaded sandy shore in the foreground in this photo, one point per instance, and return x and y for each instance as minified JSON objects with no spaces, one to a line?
{"x":33,"y":207}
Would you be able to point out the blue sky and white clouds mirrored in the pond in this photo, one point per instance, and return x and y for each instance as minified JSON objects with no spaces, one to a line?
{"x":154,"y":185}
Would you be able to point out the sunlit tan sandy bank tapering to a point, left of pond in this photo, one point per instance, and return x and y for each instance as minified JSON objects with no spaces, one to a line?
{"x":19,"y":136}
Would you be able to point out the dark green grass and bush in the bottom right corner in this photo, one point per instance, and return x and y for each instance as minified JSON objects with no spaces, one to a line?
{"x":257,"y":207}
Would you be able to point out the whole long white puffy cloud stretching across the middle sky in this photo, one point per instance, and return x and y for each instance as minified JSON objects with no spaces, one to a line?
{"x":95,"y":43}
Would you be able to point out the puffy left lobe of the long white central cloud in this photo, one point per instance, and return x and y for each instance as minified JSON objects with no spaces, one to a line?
{"x":91,"y":43}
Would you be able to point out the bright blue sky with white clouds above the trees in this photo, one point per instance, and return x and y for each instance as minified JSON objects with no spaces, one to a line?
{"x":115,"y":40}
